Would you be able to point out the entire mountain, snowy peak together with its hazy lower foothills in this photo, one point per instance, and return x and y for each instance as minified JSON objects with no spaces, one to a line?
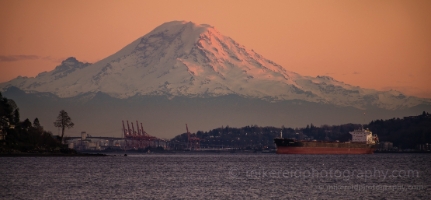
{"x":183,"y":72}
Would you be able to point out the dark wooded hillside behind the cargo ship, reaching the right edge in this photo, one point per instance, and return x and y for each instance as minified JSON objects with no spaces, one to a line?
{"x":404,"y":133}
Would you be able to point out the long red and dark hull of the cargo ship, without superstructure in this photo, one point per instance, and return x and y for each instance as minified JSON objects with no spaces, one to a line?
{"x":289,"y":146}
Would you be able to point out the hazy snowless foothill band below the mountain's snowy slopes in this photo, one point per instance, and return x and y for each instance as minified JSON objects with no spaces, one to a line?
{"x":100,"y":114}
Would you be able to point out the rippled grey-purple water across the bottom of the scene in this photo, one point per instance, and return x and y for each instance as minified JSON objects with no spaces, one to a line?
{"x":218,"y":176}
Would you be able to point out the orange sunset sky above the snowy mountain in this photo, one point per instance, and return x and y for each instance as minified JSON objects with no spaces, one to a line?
{"x":373,"y":44}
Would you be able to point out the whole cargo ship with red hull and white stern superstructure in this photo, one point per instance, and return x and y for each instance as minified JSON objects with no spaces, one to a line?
{"x":363,"y":142}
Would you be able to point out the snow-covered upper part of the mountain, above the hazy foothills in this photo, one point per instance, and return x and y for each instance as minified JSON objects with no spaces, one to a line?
{"x":185,"y":59}
